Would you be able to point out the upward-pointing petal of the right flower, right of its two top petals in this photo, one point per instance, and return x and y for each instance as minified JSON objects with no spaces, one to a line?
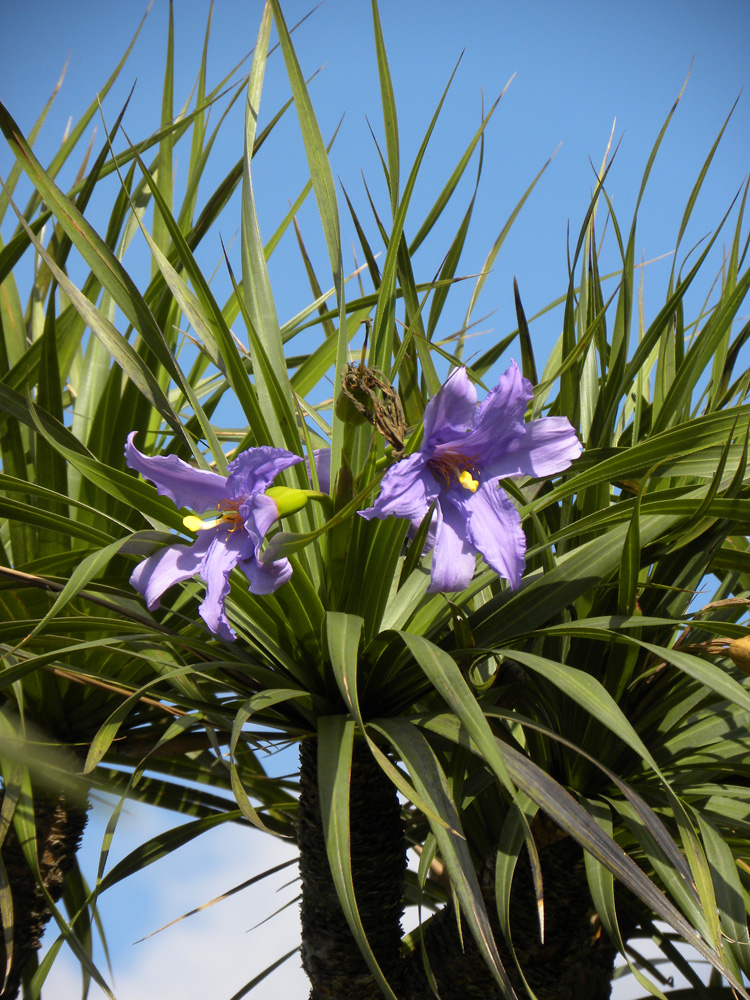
{"x":499,"y":420}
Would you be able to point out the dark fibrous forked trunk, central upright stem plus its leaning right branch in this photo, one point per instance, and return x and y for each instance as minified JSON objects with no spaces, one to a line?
{"x":575,"y":961}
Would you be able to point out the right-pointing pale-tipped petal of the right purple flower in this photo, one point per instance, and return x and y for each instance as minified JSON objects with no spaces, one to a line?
{"x":548,"y":446}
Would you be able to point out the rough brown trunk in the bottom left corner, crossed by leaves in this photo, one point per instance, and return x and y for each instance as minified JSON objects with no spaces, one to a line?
{"x":59,"y":828}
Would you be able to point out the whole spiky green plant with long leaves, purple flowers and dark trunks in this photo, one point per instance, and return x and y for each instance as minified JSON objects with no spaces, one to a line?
{"x":562,"y":740}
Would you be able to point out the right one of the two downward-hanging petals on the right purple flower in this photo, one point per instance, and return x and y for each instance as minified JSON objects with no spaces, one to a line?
{"x":494,"y":529}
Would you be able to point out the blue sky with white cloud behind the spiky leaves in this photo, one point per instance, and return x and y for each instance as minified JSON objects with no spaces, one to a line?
{"x":579,"y":68}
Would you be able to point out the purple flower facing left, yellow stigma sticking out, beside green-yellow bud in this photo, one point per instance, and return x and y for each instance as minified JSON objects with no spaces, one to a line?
{"x":233,"y":537}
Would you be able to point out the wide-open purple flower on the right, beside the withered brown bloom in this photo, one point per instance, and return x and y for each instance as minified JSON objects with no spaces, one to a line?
{"x":467,"y":448}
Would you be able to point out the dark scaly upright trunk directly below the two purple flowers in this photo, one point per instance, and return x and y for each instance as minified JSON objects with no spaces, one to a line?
{"x":330,"y":955}
